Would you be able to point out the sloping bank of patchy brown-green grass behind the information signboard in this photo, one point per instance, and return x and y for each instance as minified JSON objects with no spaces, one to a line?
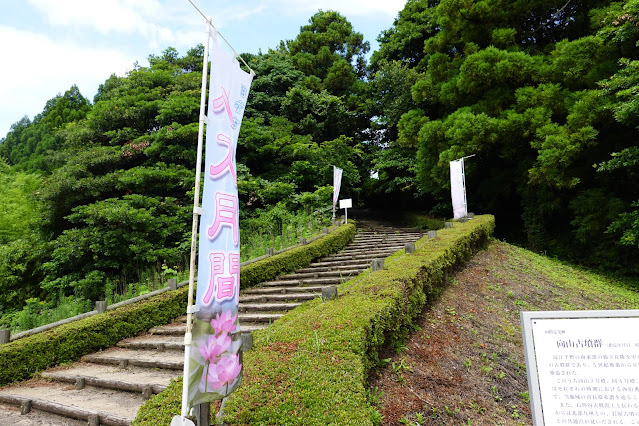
{"x":466,"y":365}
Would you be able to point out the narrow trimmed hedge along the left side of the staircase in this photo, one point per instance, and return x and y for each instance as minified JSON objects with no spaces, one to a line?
{"x":24,"y":357}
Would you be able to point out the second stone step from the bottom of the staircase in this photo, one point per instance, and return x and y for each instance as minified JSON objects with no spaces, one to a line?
{"x":132,"y":379}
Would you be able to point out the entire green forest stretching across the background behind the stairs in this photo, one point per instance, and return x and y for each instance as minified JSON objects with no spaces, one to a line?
{"x":96,"y":196}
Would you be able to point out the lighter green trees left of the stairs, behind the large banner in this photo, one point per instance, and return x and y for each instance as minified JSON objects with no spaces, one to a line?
{"x":103,"y":192}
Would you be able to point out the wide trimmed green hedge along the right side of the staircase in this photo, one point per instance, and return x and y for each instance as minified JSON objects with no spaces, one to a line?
{"x":310,"y":367}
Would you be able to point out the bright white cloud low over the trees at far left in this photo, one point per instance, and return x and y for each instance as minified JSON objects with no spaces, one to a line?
{"x":41,"y":68}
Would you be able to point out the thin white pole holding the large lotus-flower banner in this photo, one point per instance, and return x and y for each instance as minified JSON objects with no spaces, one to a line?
{"x":196,"y":214}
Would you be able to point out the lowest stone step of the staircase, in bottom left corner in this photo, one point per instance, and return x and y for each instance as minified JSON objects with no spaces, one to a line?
{"x":112,"y":407}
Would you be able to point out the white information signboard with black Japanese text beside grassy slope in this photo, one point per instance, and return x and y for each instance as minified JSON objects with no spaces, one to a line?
{"x":583,"y":366}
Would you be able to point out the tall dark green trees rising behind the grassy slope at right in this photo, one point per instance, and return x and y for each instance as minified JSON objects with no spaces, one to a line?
{"x":539,"y":91}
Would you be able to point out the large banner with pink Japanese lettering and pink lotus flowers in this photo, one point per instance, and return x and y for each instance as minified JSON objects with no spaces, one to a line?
{"x":215,"y":359}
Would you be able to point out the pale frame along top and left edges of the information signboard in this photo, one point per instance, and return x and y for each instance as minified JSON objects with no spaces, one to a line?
{"x":530,"y":350}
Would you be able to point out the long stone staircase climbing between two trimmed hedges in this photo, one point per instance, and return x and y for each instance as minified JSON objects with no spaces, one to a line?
{"x":108,"y":387}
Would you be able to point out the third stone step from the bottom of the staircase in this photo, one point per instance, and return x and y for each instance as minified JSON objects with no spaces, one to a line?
{"x":169,"y":359}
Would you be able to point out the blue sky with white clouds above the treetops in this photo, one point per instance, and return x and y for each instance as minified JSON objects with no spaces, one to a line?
{"x":47,"y":46}
